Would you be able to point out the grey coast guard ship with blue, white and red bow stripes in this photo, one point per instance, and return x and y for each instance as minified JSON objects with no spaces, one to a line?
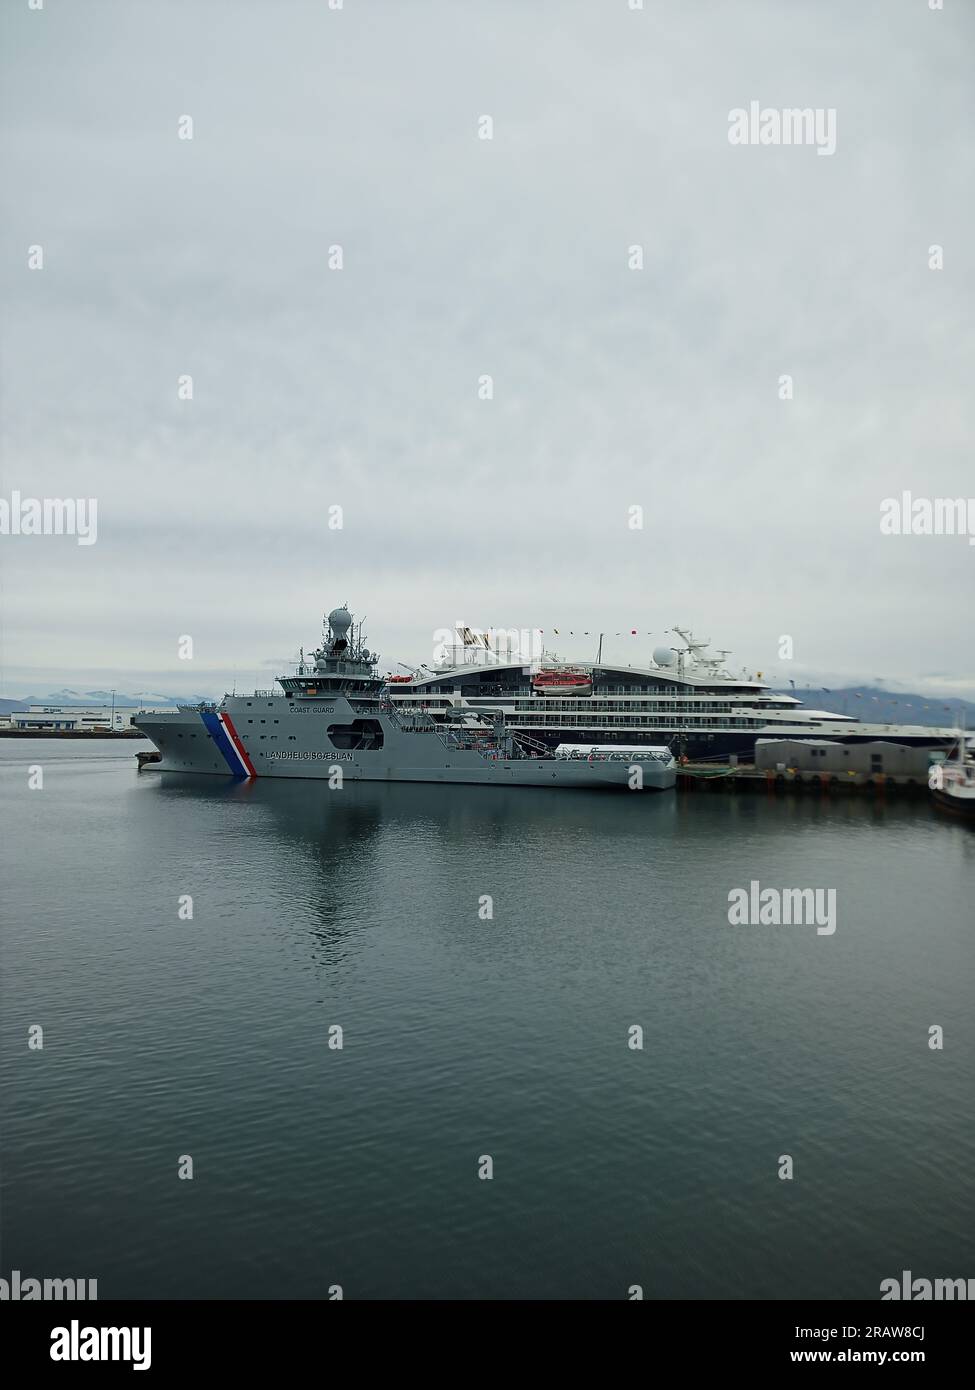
{"x":336,"y":715}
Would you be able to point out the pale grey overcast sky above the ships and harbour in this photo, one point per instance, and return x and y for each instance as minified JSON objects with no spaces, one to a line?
{"x":464,"y":258}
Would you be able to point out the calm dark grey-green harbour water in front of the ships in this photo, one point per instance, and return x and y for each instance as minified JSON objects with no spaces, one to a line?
{"x":465,"y":1038}
